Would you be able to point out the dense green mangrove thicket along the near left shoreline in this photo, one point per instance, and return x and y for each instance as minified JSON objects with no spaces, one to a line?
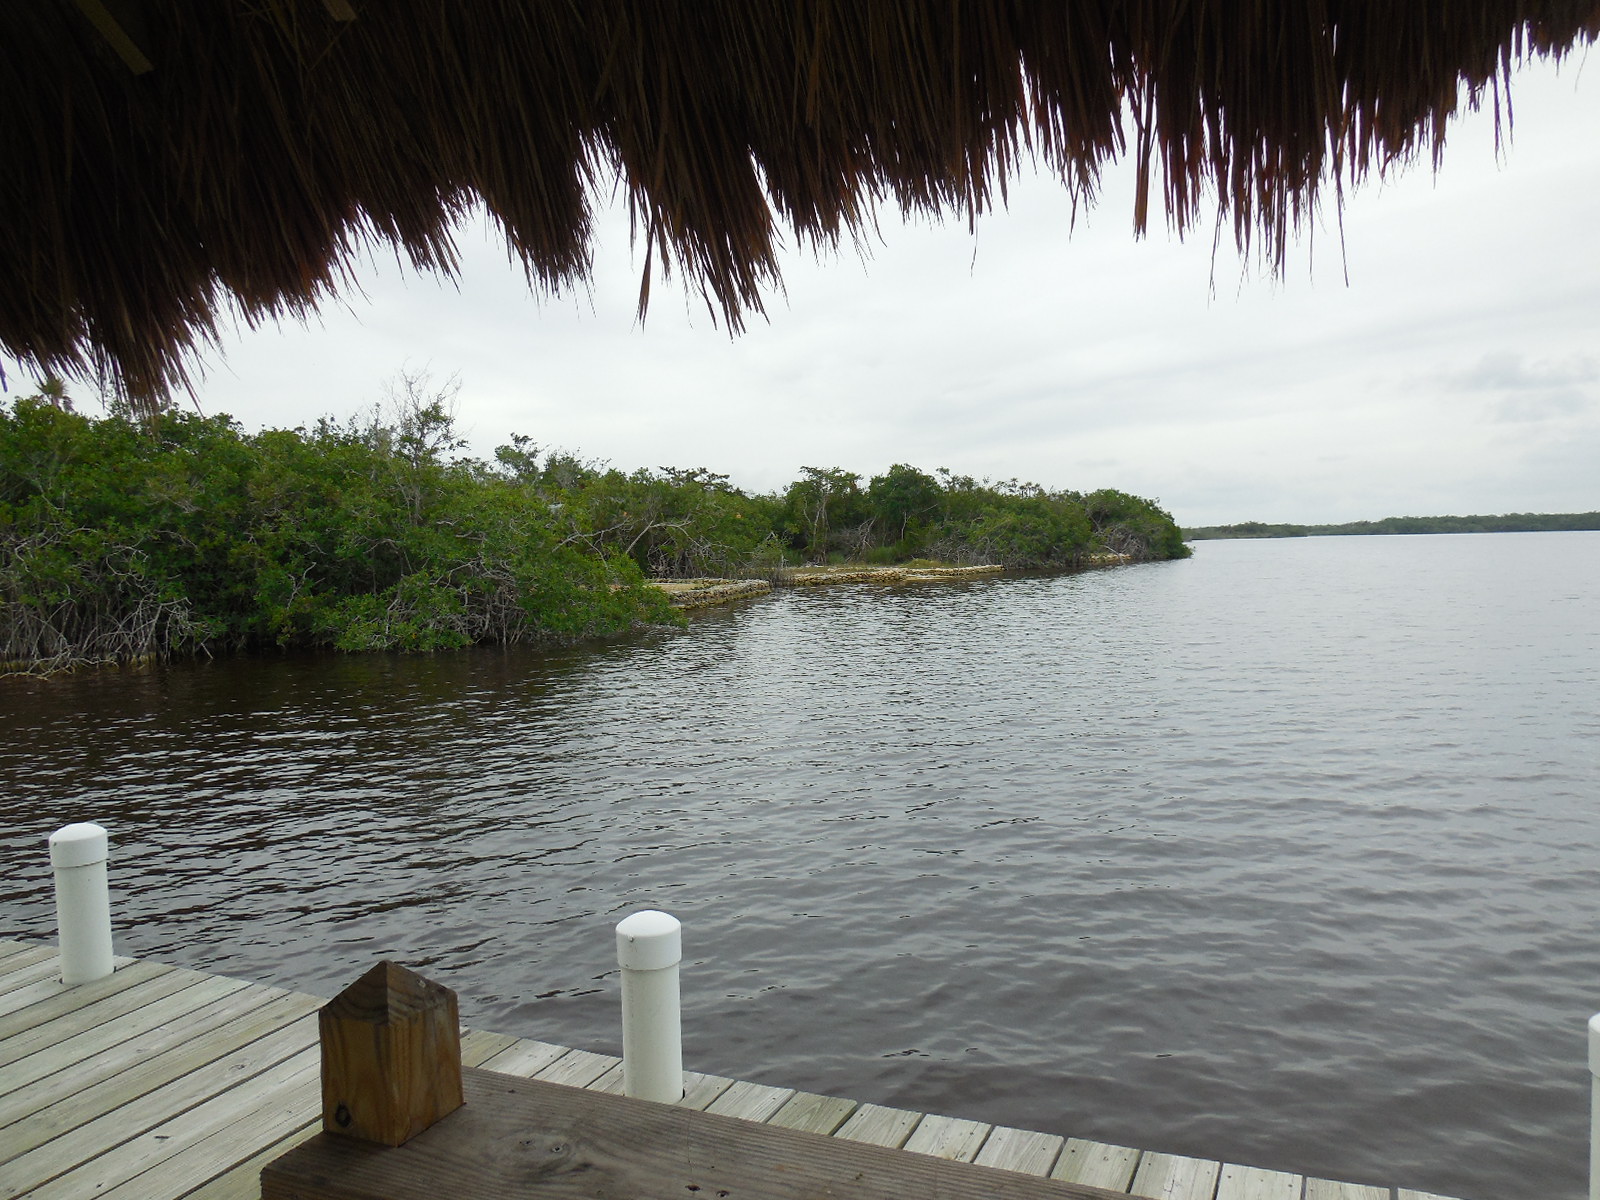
{"x":129,"y":538}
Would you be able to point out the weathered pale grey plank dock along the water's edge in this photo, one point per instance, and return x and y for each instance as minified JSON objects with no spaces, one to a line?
{"x":162,"y":1082}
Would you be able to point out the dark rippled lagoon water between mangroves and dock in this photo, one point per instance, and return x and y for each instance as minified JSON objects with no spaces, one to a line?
{"x":1284,"y":855}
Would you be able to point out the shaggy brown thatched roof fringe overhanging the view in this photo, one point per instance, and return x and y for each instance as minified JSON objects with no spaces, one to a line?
{"x":169,"y":159}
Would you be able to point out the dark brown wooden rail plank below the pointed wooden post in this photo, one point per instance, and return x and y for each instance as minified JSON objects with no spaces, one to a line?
{"x":588,"y":1143}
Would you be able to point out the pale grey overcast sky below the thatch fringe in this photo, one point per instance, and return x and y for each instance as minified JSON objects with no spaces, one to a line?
{"x":1457,"y":372}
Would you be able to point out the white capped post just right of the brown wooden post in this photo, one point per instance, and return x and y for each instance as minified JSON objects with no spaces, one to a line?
{"x":649,"y":950}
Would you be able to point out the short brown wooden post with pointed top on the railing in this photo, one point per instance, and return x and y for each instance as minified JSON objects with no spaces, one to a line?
{"x":391,"y":1057}
